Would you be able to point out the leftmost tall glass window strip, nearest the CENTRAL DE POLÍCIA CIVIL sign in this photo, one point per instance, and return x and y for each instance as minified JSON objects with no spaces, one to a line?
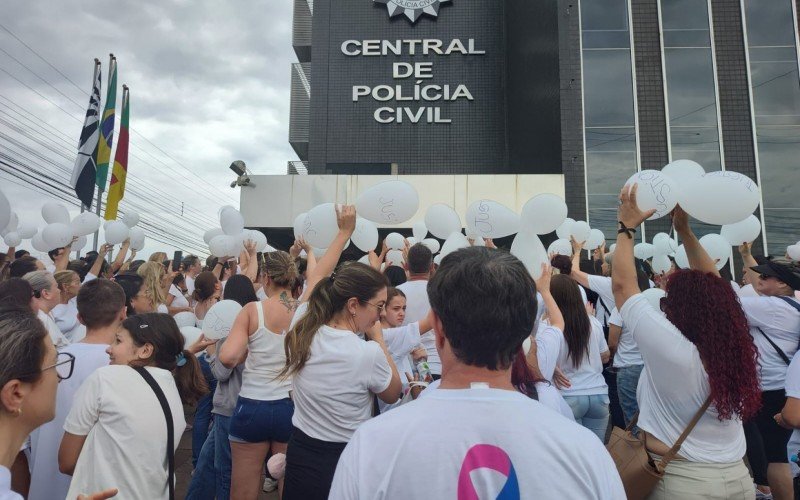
{"x":608,"y":107}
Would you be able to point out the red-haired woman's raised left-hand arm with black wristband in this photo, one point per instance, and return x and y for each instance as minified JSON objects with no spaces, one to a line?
{"x":623,"y":271}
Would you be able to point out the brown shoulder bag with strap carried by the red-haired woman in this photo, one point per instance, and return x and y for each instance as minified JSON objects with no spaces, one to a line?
{"x":639,"y":472}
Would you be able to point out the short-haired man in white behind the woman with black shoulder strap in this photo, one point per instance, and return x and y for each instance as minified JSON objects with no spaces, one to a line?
{"x":101,"y":308}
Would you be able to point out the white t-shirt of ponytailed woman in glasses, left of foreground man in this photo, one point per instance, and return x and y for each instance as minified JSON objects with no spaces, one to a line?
{"x":332,"y":393}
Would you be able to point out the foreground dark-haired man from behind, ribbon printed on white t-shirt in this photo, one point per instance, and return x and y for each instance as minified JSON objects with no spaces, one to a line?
{"x":484,"y":307}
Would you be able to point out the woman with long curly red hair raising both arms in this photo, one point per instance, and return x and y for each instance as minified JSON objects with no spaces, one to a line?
{"x":699,"y":359}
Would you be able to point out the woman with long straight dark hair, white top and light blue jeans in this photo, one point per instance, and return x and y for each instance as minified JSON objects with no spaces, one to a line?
{"x":583,"y":352}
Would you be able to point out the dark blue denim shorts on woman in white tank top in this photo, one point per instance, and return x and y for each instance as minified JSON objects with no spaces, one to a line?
{"x":255,"y":421}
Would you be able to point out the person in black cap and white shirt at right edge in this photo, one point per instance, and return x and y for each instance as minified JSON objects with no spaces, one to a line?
{"x":774,"y":319}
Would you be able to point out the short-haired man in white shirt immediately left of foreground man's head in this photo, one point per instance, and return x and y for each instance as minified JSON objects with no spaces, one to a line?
{"x":419,"y":266}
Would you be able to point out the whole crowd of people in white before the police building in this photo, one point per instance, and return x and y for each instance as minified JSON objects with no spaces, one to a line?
{"x":346,"y":380}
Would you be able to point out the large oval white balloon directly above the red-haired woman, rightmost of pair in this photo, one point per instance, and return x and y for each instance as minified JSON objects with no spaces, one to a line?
{"x":721,"y":198}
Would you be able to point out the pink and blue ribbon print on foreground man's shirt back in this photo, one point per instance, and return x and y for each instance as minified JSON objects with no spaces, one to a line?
{"x":490,"y":457}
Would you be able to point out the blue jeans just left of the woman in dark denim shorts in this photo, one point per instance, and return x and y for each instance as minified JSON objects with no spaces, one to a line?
{"x":212,"y":477}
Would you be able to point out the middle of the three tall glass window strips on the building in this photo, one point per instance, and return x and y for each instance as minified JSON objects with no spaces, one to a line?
{"x":691,"y":90}
